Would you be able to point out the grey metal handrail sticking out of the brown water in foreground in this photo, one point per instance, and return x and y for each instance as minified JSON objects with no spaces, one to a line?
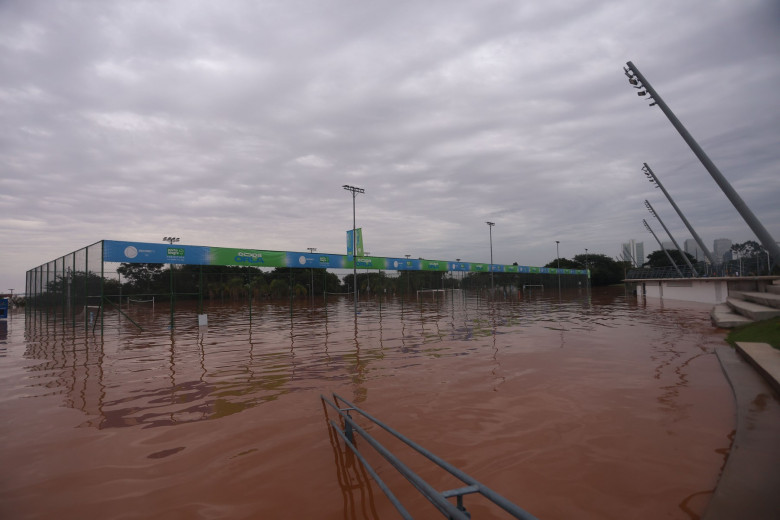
{"x":438,"y":498}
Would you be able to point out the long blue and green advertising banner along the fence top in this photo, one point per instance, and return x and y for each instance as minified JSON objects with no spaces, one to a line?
{"x":143,"y":252}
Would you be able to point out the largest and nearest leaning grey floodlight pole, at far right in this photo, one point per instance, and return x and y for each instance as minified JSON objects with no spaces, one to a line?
{"x":636,"y":79}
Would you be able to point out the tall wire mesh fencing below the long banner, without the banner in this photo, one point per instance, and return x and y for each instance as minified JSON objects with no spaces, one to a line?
{"x":81,"y":289}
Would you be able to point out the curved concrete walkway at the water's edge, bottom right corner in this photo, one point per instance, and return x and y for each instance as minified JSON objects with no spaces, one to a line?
{"x":750,"y":484}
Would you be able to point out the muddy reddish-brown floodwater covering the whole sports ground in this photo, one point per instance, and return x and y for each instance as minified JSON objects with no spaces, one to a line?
{"x":588,"y":406}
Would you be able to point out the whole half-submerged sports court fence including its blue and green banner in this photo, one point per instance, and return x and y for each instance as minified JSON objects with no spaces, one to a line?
{"x":79,"y":287}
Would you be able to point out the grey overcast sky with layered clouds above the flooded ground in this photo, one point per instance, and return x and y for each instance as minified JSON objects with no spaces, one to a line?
{"x":236,"y":123}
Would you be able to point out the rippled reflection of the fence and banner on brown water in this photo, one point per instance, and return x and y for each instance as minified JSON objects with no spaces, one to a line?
{"x":159,"y":377}
